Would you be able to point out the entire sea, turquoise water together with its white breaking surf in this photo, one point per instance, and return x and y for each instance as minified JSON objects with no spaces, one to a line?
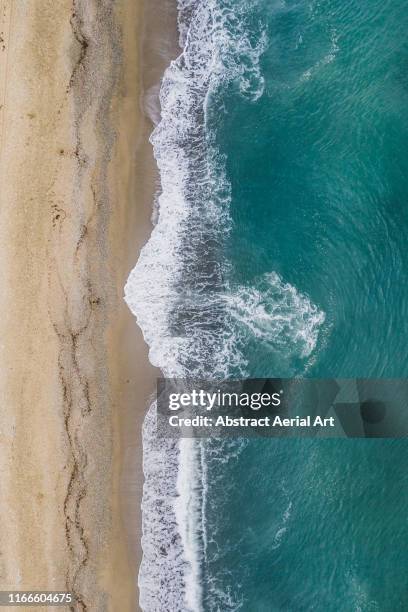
{"x":279,"y":249}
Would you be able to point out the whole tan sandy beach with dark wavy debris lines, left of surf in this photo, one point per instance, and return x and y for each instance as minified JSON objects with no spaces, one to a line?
{"x":77,"y":178}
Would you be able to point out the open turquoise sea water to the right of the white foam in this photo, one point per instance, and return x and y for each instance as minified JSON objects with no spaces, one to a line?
{"x":319,"y":183}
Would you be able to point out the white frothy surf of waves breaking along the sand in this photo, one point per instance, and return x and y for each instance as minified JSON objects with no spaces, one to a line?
{"x":192,"y":321}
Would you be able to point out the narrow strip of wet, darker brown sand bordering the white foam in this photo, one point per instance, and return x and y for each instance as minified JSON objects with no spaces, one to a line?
{"x":157,"y":46}
